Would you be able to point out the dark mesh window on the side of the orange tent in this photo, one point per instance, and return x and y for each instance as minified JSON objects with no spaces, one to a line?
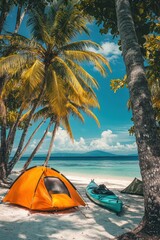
{"x":55,"y":186}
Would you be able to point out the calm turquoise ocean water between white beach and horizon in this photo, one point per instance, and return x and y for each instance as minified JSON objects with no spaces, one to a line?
{"x":117,"y":166}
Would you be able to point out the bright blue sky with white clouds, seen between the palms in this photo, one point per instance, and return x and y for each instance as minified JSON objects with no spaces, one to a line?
{"x":114,"y":117}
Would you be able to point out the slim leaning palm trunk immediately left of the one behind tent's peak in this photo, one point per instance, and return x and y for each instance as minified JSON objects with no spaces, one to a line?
{"x":36,"y":149}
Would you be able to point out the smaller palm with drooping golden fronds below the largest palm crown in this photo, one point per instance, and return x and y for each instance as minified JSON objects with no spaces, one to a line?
{"x":72,"y":106}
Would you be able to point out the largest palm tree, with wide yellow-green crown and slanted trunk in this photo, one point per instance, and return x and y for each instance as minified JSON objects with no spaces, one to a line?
{"x":52,"y":58}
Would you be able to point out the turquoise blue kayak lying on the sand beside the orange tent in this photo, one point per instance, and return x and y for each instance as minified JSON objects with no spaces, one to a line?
{"x":103,"y":197}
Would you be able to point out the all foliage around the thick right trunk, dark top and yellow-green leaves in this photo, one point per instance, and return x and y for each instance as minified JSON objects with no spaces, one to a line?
{"x":147,"y":27}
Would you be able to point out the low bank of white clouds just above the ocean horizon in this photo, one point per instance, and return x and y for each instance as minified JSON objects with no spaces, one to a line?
{"x":108,"y":141}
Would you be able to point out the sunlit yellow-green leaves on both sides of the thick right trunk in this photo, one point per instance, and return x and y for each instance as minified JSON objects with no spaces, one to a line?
{"x":152,"y":52}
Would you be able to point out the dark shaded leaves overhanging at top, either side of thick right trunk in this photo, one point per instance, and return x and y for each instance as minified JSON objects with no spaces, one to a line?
{"x":145,"y":16}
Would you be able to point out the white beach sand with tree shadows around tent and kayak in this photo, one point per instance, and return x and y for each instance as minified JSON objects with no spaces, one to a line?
{"x":90,"y":222}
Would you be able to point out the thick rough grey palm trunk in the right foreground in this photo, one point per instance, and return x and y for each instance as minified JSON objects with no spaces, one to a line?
{"x":147,"y":138}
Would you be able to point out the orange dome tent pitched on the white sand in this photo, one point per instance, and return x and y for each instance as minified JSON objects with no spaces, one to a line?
{"x":43,"y":188}
